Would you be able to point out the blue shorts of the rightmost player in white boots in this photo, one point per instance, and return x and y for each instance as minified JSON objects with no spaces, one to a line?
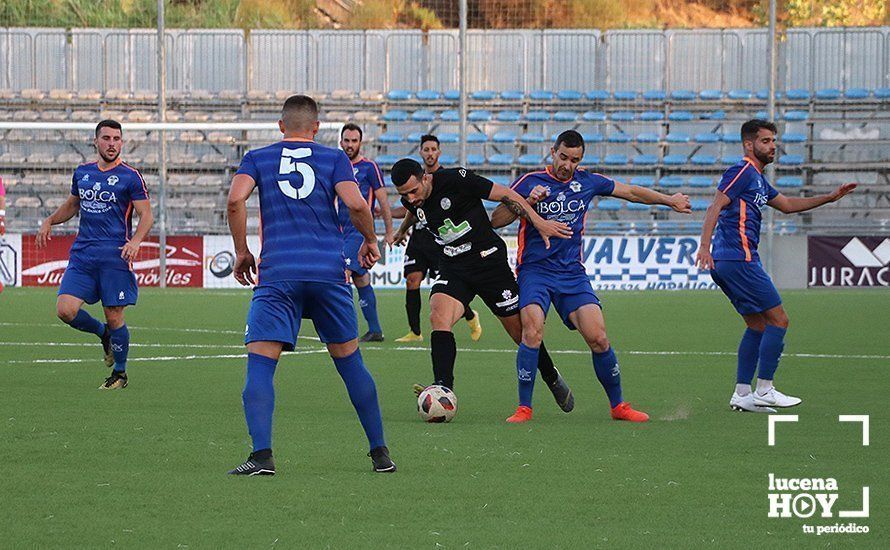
{"x":746,"y":285}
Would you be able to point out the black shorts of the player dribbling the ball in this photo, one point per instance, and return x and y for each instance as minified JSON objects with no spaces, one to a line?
{"x":488,"y":277}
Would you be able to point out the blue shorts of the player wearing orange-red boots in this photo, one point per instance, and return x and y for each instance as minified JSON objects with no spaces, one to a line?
{"x":567,"y":293}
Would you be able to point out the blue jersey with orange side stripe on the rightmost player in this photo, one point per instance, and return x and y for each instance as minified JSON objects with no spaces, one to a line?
{"x":738,"y":226}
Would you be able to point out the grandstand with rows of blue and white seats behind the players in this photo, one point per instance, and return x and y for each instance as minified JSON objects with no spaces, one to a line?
{"x":666,"y":122}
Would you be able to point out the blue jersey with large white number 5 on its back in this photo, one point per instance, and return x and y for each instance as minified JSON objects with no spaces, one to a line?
{"x":299,"y":228}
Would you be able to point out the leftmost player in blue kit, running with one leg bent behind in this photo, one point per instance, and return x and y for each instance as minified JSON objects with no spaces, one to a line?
{"x":105,"y":193}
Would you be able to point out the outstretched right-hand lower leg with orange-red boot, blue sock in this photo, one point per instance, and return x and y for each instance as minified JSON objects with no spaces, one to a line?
{"x":589,"y":321}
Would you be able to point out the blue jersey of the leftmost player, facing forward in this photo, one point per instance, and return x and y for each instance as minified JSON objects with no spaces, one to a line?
{"x":106,"y":202}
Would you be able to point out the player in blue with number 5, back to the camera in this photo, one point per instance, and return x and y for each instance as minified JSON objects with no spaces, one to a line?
{"x":302,"y":272}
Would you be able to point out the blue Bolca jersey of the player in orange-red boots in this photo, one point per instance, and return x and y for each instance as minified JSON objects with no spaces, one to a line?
{"x":567,"y":203}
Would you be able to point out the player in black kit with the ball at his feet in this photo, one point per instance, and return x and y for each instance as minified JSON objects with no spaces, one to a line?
{"x":474,"y":262}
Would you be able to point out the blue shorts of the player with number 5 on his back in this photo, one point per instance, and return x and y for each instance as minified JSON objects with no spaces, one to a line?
{"x":277,"y":309}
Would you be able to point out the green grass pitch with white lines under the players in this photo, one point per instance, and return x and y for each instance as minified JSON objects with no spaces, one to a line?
{"x":145,"y":467}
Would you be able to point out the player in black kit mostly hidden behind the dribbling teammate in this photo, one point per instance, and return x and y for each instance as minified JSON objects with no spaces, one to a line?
{"x":422,"y":256}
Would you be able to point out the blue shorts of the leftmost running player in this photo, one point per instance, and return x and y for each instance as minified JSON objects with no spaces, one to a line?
{"x":99,"y":273}
